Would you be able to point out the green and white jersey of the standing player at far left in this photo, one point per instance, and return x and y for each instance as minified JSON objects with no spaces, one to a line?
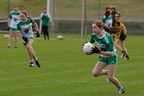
{"x":14,"y":19}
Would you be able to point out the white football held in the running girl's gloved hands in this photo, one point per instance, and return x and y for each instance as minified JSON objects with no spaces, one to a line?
{"x":87,"y":48}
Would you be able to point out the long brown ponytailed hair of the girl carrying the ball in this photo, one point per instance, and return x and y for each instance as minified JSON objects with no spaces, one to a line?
{"x":110,"y":30}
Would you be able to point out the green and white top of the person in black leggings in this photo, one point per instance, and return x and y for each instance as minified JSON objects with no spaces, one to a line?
{"x":45,"y":17}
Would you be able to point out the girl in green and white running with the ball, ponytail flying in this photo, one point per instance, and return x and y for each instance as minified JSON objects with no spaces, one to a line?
{"x":108,"y":56}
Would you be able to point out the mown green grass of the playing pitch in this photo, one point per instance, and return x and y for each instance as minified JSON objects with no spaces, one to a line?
{"x":66,"y":70}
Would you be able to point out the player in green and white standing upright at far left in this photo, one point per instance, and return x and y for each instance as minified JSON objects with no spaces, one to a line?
{"x":12,"y":21}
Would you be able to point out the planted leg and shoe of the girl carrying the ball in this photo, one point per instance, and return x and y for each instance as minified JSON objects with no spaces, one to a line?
{"x":111,"y":71}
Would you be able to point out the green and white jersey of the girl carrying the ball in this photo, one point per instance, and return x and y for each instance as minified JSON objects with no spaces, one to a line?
{"x":105,"y":43}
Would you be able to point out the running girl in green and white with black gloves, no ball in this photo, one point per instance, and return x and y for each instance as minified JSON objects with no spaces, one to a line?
{"x":24,"y":30}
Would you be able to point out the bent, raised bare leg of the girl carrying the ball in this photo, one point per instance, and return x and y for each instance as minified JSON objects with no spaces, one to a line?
{"x":98,"y":69}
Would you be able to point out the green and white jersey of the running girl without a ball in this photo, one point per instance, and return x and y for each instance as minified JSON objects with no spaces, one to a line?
{"x":25,"y":28}
